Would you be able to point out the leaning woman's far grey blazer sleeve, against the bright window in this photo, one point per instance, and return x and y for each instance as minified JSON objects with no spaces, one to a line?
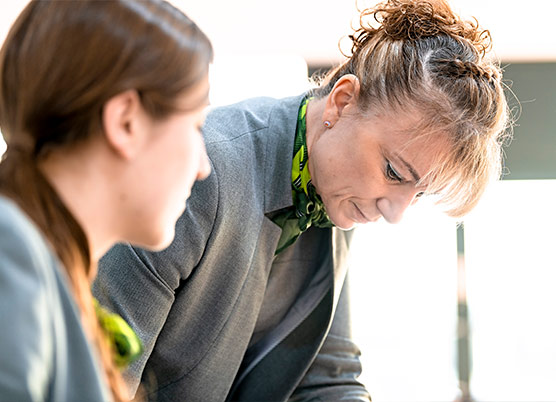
{"x":333,"y":374}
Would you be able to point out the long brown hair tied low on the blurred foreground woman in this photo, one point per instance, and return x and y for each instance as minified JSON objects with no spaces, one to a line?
{"x":61,"y":62}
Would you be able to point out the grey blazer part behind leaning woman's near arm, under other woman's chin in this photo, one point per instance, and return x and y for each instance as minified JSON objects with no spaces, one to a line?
{"x":140,"y":285}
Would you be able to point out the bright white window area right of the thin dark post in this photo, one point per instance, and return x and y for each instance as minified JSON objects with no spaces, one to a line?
{"x":511,"y":280}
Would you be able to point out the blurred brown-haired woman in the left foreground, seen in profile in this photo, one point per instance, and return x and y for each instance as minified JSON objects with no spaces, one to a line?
{"x":100,"y":104}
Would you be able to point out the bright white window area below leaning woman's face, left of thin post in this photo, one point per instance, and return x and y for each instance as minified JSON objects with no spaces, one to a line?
{"x":403,"y":281}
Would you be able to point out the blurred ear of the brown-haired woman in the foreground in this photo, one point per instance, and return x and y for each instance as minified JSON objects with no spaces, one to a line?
{"x":123,"y":121}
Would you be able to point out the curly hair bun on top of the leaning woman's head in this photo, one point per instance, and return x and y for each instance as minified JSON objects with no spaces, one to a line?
{"x":416,"y":19}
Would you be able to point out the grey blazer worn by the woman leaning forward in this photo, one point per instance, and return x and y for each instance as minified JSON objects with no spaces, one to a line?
{"x":196,"y":304}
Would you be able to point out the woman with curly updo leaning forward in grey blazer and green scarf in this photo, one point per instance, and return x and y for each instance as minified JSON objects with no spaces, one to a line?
{"x":250,"y":302}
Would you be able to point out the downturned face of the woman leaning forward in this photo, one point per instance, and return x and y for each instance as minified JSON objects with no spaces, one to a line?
{"x":365,"y":168}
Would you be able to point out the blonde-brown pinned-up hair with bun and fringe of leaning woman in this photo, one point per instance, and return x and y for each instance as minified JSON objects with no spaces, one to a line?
{"x":418,"y":55}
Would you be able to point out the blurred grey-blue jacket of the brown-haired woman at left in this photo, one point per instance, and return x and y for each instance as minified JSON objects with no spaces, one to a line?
{"x":44,"y":354}
